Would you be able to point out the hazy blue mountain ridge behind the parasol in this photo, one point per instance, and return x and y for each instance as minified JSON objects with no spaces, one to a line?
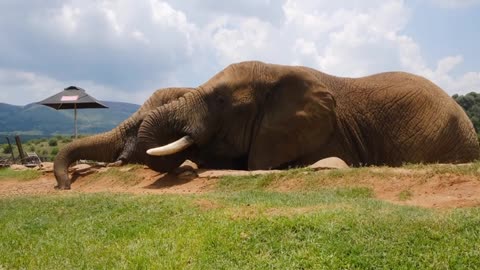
{"x":35,"y":120}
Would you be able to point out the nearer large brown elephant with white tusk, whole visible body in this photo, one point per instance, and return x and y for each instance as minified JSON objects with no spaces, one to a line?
{"x":253,"y":115}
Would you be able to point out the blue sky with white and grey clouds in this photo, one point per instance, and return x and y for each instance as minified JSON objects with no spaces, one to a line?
{"x":123,"y":50}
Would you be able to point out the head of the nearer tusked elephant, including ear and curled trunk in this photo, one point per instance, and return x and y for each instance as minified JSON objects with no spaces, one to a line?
{"x":259,"y":115}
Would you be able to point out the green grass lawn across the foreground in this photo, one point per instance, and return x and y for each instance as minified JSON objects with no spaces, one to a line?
{"x":241,"y":224}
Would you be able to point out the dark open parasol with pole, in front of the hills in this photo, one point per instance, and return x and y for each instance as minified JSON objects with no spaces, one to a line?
{"x":72,"y":97}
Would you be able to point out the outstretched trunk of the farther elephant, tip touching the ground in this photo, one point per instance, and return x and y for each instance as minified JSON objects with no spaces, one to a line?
{"x":102,"y":147}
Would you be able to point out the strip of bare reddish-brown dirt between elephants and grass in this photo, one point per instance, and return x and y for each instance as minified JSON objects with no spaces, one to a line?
{"x":401,"y":186}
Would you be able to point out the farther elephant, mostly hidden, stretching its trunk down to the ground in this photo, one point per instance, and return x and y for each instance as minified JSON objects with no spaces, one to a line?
{"x":117,"y":146}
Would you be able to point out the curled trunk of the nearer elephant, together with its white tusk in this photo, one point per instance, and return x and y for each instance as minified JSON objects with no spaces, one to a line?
{"x":169,"y":133}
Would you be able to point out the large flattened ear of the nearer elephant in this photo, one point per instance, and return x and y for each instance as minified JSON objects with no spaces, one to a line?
{"x":298,"y":118}
